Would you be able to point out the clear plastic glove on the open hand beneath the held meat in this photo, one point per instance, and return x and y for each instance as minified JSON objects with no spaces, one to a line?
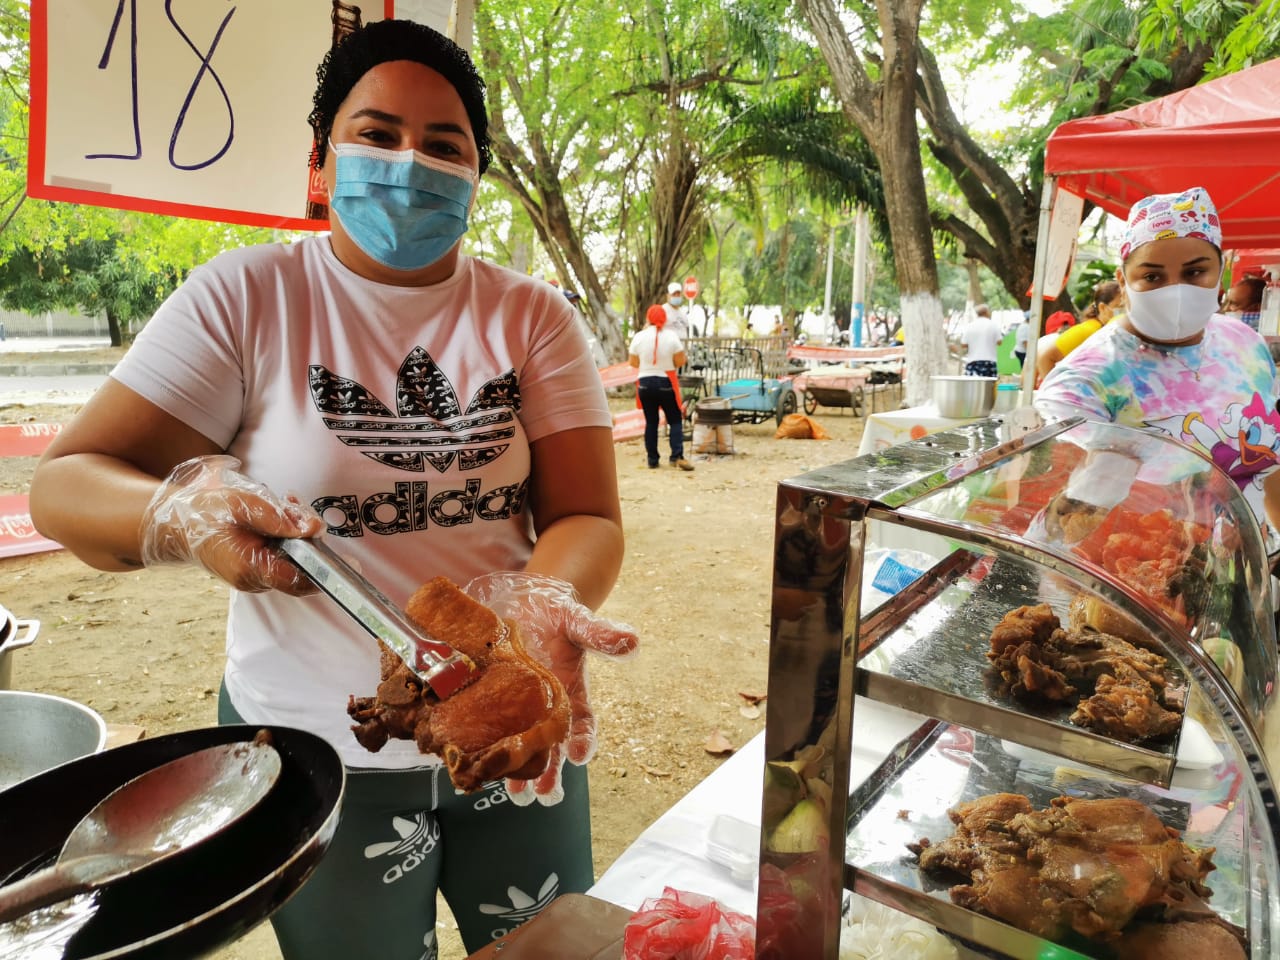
{"x":557,"y":630}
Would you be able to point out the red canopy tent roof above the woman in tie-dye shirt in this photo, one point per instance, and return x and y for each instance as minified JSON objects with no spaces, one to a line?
{"x":1223,"y":135}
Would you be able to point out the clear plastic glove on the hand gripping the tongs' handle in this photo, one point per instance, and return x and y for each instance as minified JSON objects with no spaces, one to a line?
{"x":208,"y":513}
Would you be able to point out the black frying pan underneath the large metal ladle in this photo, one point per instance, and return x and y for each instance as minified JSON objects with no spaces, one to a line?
{"x":199,"y":900}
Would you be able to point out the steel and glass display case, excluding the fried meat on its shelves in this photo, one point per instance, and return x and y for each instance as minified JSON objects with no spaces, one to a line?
{"x":991,"y":516}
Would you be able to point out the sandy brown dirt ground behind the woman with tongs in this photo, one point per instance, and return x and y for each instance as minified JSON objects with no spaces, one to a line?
{"x":147,"y":648}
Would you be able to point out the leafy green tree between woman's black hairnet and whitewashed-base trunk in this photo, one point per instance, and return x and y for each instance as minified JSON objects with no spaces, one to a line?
{"x":619,"y":135}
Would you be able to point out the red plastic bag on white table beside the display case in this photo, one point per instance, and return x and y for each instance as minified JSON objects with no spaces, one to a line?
{"x":683,"y":926}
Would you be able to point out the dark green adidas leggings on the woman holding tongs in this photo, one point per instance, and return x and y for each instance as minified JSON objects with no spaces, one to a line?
{"x":405,"y":835}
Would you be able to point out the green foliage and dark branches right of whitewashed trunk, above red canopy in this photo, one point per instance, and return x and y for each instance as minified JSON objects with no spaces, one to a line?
{"x":1089,"y":58}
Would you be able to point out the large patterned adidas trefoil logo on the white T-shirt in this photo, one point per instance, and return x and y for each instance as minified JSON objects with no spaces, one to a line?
{"x":428,"y":426}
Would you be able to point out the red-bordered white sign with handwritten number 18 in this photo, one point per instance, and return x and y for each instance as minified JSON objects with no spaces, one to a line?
{"x":195,"y":109}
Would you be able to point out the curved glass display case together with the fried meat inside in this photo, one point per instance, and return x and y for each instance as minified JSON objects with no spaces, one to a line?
{"x":1081,"y":614}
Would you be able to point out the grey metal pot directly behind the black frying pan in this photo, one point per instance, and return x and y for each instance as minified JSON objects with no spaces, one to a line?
{"x":39,"y":732}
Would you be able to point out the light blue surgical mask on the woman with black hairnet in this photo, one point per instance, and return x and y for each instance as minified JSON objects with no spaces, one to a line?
{"x":403,"y":208}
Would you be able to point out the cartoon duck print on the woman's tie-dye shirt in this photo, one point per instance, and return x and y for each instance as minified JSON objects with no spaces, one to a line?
{"x":1245,"y":444}
